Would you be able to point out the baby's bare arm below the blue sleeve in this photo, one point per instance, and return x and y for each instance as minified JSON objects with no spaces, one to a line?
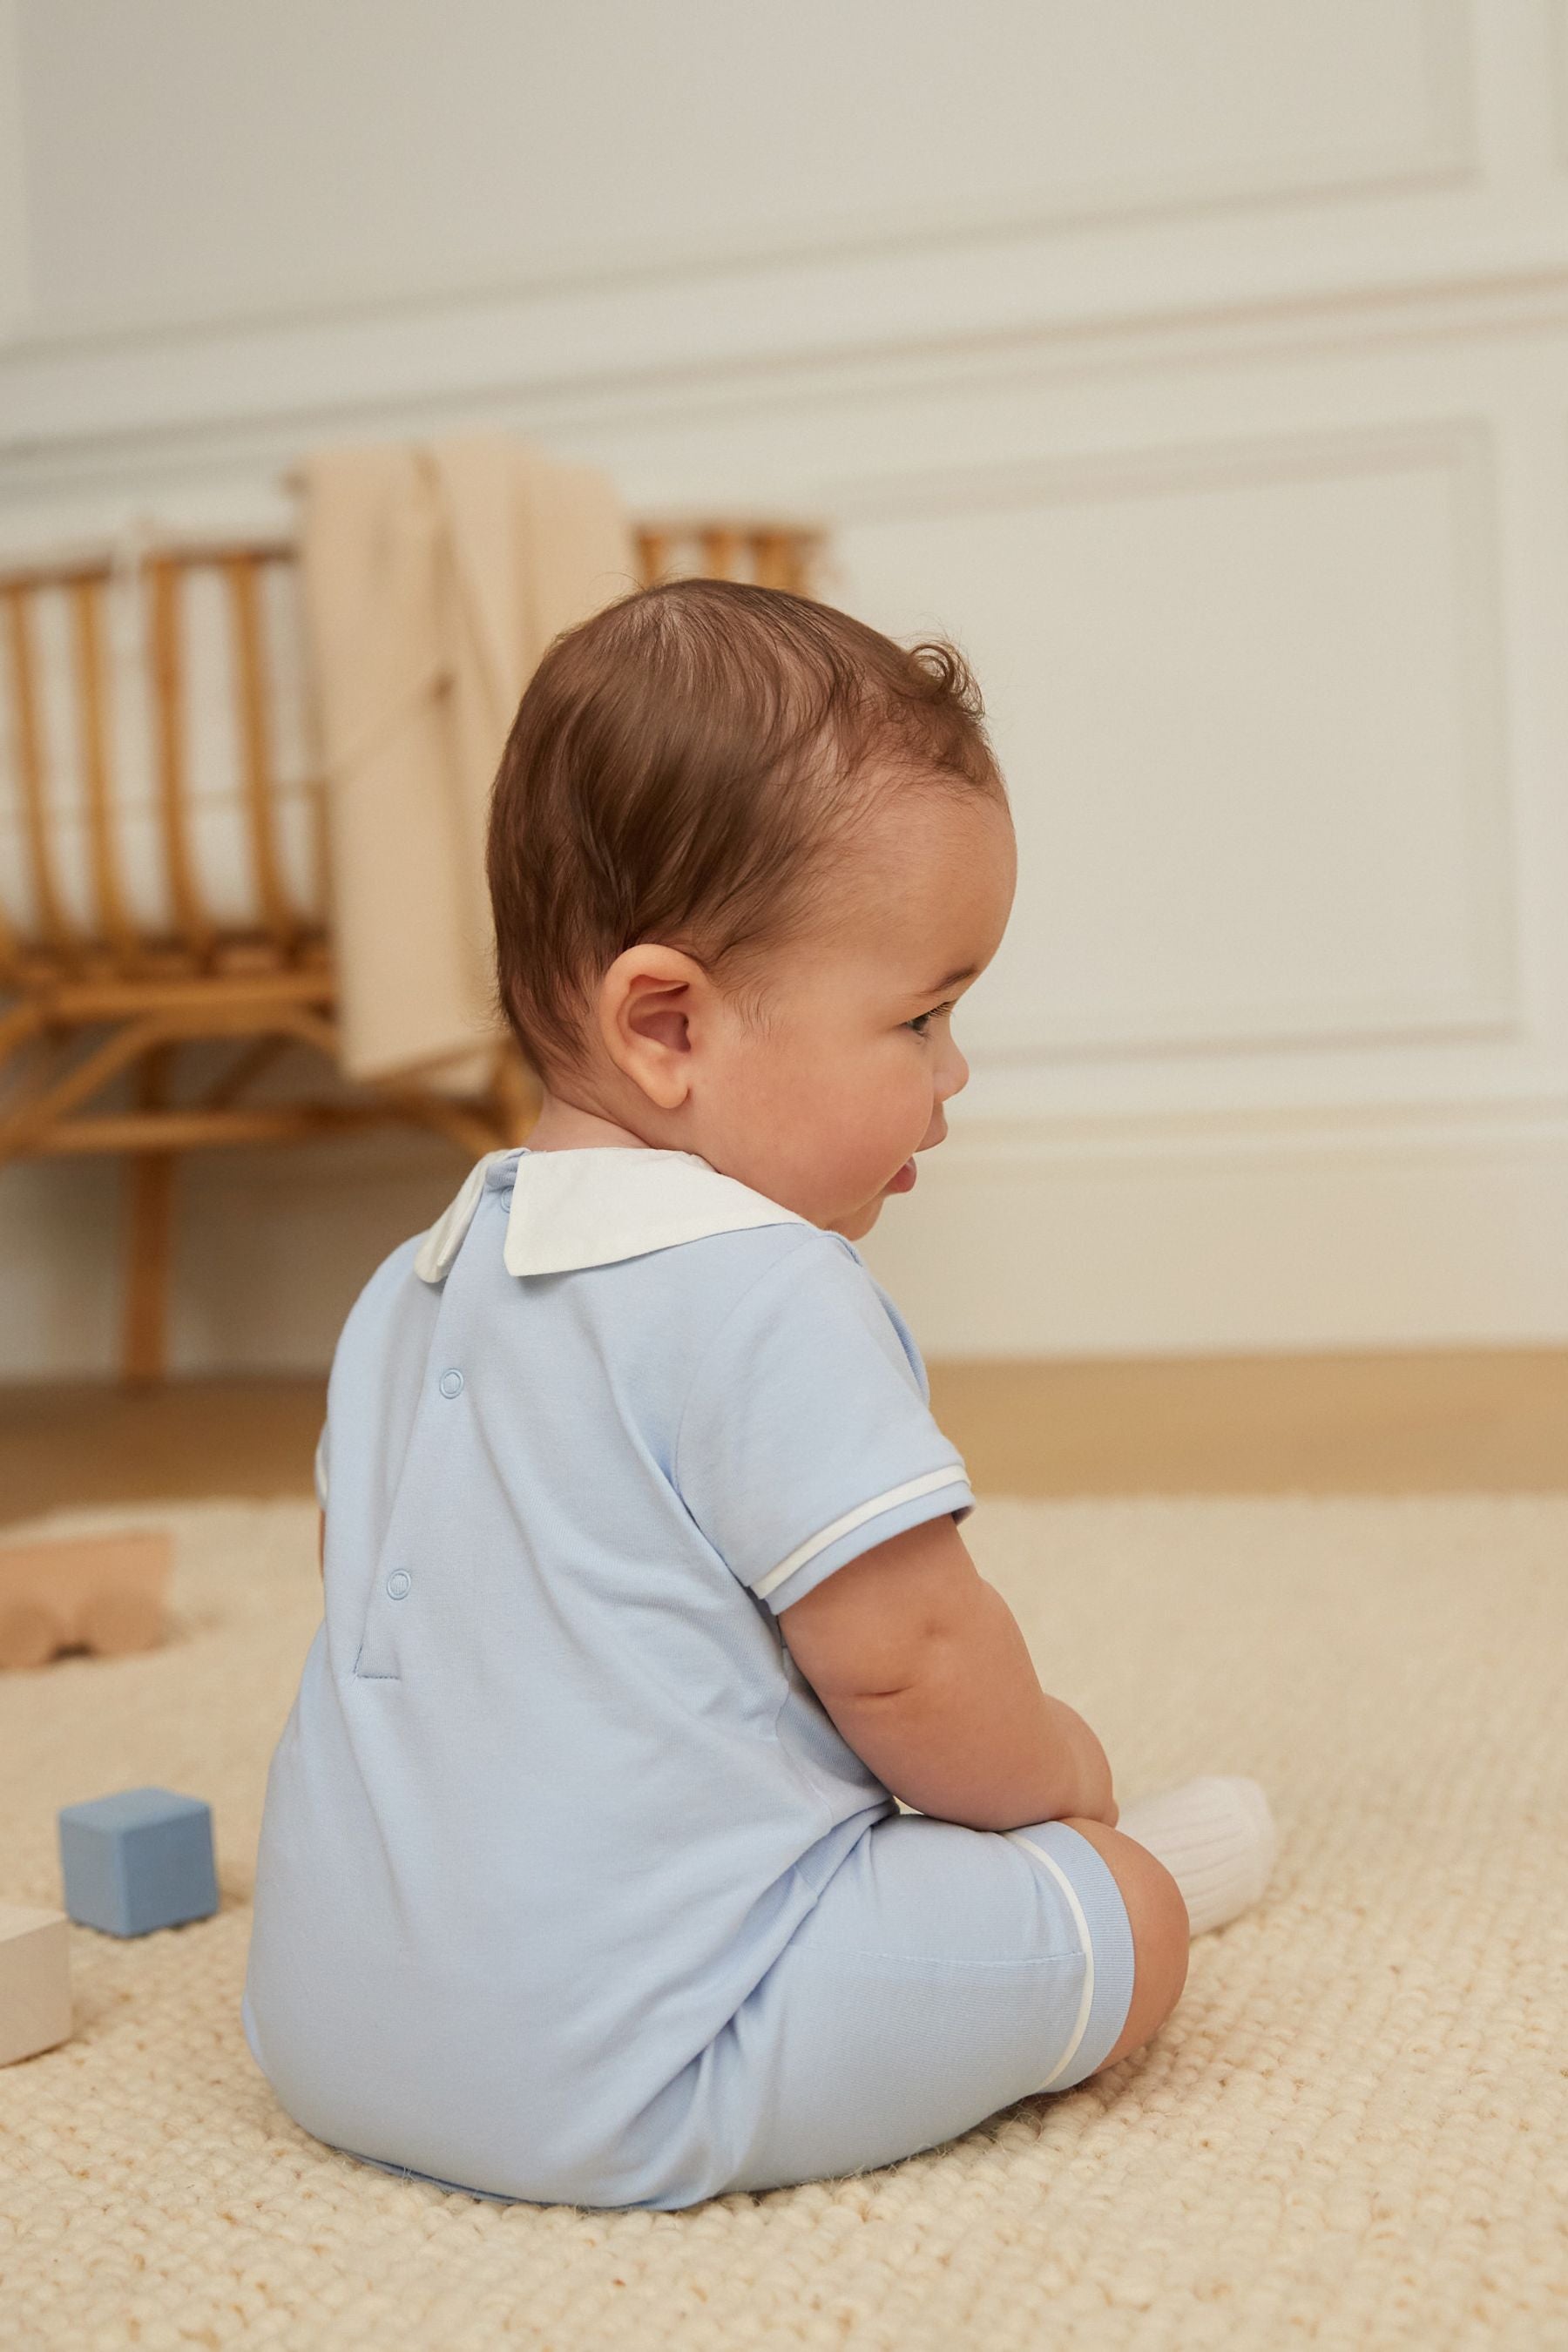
{"x":927,"y":1676}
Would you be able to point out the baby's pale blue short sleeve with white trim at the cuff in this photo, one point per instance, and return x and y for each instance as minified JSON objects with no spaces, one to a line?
{"x":805,"y":1436}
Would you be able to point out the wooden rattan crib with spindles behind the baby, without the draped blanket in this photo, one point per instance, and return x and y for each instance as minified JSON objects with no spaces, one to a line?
{"x":154,"y":907}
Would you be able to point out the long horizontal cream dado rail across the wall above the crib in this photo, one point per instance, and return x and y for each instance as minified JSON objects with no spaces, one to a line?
{"x":114,"y":413}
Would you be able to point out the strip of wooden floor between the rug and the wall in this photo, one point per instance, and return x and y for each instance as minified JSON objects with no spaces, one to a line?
{"x":1351,"y":1424}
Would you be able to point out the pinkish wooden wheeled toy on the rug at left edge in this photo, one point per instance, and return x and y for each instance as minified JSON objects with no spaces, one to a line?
{"x":98,"y":1593}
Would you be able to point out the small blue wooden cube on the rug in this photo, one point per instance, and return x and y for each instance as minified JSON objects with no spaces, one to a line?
{"x":138,"y":1862}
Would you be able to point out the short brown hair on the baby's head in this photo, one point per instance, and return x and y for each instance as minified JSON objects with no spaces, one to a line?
{"x":683,"y":766}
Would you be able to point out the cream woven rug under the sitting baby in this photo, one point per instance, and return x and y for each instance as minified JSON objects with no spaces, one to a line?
{"x":1353,"y":2132}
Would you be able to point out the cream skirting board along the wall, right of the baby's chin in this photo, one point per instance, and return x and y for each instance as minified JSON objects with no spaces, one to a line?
{"x":1170,"y":1255}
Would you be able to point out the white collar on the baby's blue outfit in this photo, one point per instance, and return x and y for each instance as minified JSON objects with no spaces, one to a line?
{"x":596,"y":1208}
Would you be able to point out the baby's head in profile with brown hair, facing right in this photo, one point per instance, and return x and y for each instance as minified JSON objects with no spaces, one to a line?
{"x":744,"y":860}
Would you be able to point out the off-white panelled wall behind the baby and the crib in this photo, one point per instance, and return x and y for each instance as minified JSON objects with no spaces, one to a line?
{"x":1200,"y":368}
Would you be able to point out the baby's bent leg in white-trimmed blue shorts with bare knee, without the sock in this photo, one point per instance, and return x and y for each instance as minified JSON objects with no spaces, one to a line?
{"x":942,"y":1977}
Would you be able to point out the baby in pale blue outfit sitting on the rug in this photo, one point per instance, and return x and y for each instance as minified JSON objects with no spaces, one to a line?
{"x":582,"y":1873}
